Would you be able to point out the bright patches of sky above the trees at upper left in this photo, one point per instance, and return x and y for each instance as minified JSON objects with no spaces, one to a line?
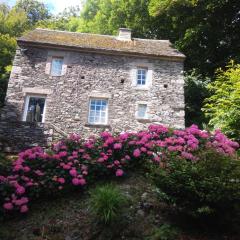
{"x":55,"y":6}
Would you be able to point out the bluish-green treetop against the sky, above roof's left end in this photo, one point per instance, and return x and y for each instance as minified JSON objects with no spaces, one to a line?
{"x":35,"y":10}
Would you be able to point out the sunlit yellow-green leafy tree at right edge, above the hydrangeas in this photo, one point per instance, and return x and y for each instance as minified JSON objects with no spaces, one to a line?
{"x":223,"y":106}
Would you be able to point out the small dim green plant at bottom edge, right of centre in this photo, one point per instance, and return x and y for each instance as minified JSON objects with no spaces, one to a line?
{"x":165,"y":232}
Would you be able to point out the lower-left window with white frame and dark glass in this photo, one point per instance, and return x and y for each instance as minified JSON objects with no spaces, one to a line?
{"x":34,"y":109}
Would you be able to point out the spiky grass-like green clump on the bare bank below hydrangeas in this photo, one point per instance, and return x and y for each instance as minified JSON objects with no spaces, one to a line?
{"x":107,"y":202}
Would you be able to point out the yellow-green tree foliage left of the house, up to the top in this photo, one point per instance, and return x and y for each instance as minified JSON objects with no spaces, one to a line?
{"x":13,"y":23}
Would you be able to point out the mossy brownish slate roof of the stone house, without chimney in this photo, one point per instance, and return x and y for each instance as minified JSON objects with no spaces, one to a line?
{"x":101,"y":43}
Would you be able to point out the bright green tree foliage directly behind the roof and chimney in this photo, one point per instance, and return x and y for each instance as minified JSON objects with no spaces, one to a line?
{"x":106,"y":17}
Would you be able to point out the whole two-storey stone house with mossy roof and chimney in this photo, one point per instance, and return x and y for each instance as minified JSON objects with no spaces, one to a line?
{"x":64,"y":82}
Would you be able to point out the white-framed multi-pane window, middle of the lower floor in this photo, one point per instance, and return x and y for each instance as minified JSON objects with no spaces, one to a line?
{"x":98,"y":111}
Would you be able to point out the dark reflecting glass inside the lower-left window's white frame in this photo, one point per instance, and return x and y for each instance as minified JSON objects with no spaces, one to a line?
{"x":35,"y":109}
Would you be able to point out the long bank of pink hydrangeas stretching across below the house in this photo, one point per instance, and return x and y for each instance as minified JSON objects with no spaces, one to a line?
{"x":73,"y":162}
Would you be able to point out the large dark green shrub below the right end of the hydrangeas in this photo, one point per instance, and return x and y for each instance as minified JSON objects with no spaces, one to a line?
{"x":209,"y":187}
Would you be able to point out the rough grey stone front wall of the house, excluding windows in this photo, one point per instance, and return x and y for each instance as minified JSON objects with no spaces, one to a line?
{"x":89,"y":75}
